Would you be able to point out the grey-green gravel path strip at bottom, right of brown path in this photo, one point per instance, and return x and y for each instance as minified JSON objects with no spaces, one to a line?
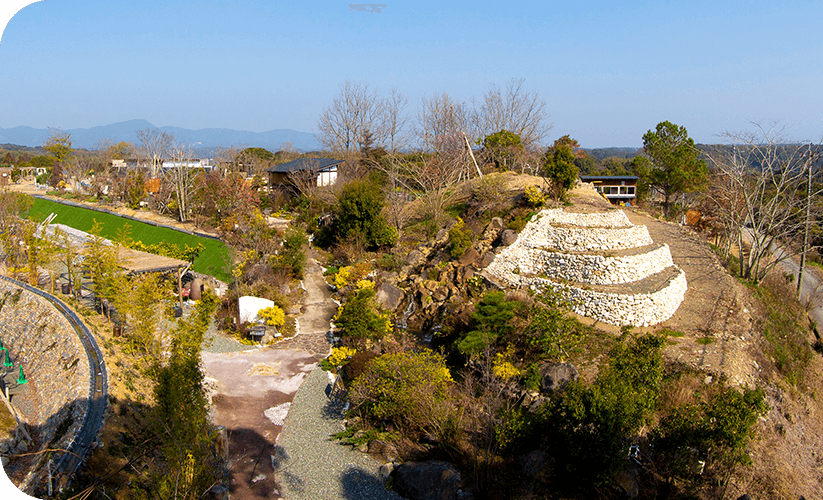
{"x":310,"y":464}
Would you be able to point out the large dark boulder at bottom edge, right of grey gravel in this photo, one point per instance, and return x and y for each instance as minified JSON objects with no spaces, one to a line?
{"x":433,"y":480}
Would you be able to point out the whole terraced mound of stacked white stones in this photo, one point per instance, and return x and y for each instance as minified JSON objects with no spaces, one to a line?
{"x":604,"y":266}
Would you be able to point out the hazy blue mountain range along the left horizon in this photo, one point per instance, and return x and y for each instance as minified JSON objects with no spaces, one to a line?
{"x":202,"y":140}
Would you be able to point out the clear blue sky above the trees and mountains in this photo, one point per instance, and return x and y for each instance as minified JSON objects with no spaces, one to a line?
{"x":607,"y":72}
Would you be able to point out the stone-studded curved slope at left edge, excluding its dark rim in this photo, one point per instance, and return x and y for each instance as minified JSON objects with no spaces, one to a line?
{"x":54,"y":362}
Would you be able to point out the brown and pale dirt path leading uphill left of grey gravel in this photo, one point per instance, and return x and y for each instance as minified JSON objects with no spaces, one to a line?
{"x":252,"y":391}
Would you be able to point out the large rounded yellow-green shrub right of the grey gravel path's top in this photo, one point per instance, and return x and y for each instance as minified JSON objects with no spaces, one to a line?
{"x":411,"y":389}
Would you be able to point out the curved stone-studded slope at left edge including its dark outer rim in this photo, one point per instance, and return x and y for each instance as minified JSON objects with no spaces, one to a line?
{"x":62,"y":359}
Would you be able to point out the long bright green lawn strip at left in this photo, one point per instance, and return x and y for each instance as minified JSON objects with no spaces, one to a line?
{"x":211,"y":261}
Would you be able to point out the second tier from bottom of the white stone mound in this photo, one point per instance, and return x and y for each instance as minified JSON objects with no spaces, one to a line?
{"x":594,"y":269}
